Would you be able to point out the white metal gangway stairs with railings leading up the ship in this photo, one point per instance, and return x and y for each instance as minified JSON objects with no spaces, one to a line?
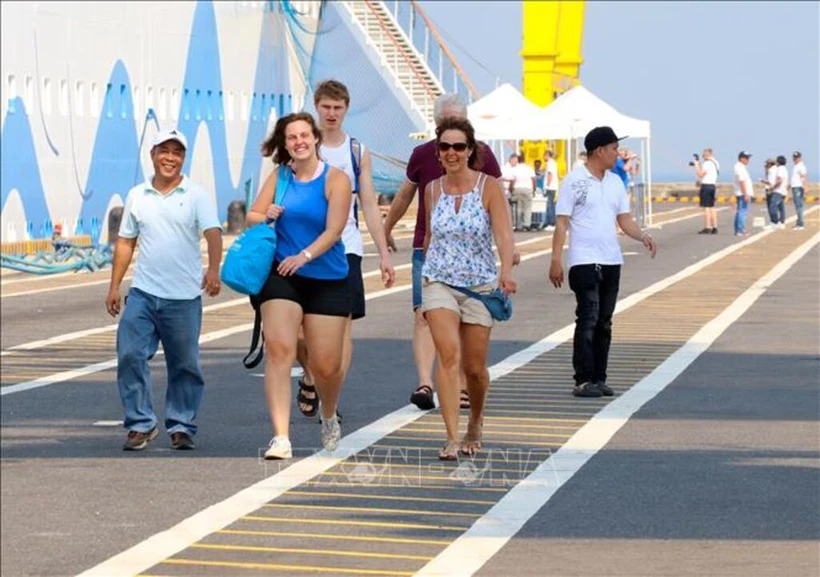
{"x":410,"y":65}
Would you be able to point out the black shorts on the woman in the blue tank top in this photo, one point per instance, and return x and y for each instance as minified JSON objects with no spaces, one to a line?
{"x":315,"y":296}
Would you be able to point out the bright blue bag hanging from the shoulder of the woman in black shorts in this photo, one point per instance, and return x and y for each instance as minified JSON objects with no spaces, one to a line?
{"x":250,"y":258}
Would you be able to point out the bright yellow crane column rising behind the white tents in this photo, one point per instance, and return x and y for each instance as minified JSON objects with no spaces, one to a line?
{"x":551,"y":55}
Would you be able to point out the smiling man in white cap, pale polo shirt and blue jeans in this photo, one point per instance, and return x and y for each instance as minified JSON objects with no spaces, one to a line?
{"x":163,"y":216}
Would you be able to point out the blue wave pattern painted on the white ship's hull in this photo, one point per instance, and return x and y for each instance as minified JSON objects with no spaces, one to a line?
{"x":115,"y":157}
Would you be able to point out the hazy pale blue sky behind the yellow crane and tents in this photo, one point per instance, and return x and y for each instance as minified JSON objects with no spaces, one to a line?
{"x":725,"y":75}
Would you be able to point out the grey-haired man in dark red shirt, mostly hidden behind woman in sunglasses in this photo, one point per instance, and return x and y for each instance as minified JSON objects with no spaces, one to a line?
{"x":423,"y":168}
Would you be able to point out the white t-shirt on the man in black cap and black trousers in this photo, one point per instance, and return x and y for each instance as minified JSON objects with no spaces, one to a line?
{"x":592,"y":206}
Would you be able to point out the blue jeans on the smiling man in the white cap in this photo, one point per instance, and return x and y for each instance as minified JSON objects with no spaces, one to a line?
{"x":146,"y":321}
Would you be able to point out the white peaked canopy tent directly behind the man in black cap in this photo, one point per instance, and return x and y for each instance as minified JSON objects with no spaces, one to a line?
{"x":577,"y":111}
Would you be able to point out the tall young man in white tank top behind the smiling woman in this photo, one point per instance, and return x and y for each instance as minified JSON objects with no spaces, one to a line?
{"x":331,"y":100}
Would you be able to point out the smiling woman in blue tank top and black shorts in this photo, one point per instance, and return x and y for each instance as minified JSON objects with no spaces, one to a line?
{"x":307,"y":285}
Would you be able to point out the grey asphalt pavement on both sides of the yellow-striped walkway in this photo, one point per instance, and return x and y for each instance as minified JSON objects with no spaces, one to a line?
{"x":717,"y":475}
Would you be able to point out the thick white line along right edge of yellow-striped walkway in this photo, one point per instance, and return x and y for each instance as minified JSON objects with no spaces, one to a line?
{"x":490,"y":533}
